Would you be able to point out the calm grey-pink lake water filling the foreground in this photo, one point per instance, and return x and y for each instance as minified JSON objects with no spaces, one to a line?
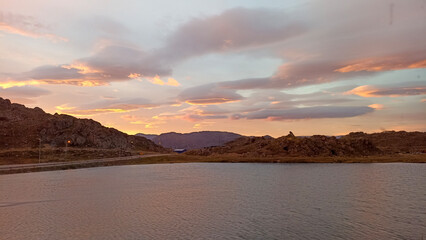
{"x":217,"y":201}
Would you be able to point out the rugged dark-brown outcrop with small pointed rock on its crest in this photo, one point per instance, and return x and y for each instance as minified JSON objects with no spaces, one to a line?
{"x":293,"y":146}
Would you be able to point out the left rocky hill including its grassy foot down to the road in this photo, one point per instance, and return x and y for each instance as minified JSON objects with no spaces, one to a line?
{"x":24,"y":130}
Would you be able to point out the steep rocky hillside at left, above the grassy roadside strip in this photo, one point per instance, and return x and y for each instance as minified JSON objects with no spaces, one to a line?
{"x":22,"y":127}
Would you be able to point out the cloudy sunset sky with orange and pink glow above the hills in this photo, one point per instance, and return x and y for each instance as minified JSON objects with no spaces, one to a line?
{"x":246,"y":66}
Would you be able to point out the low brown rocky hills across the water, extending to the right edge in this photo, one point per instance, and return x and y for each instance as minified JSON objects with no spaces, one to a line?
{"x":353,"y":144}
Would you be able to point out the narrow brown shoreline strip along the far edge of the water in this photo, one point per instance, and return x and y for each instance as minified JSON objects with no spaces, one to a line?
{"x":182,"y":158}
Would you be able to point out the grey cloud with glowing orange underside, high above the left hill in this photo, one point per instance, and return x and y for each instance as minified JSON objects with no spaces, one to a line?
{"x":108,"y":65}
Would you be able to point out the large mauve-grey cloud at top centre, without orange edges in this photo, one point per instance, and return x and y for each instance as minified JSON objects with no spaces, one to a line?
{"x":234,"y":29}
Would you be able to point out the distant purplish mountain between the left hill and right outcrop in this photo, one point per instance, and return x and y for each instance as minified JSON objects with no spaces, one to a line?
{"x":194,"y":140}
